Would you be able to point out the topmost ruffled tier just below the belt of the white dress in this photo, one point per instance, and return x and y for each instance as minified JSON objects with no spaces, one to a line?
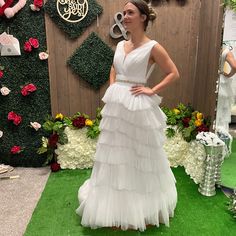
{"x":120,"y":93}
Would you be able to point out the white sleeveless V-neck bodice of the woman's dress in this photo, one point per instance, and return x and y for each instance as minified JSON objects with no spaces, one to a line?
{"x":133,"y":66}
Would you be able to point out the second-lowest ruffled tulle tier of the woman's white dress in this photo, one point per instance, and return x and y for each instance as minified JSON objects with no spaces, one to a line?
{"x":130,"y":178}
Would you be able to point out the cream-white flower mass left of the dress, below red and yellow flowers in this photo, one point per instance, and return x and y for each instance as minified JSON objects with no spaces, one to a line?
{"x":78,"y":152}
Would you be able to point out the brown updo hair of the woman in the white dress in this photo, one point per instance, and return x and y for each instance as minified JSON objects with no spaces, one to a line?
{"x":144,"y":9}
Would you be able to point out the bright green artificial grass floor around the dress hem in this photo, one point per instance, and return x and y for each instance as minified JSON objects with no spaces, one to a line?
{"x":194,"y":215}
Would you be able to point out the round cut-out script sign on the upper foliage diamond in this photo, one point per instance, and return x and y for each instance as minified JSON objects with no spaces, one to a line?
{"x":72,"y":10}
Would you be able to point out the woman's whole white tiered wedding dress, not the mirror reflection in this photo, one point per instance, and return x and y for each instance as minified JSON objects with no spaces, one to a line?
{"x":131,"y":184}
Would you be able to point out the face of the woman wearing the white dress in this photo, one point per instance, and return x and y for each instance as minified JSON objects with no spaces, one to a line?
{"x":132,"y":17}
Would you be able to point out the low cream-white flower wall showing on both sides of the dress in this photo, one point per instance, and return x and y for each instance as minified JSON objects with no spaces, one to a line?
{"x":78,"y":153}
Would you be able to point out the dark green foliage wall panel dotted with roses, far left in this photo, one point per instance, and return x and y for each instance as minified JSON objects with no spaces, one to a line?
{"x":20,"y":70}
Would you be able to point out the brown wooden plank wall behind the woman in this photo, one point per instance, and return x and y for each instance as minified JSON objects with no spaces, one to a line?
{"x":190,"y":34}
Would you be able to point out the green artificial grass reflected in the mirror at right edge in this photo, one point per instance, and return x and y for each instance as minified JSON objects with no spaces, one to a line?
{"x":228,"y":170}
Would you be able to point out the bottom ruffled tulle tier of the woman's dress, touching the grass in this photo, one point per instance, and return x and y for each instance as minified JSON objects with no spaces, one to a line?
{"x":107,"y":207}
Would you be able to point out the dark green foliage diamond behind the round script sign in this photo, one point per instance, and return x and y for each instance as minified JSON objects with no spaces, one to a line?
{"x":73,"y":30}
